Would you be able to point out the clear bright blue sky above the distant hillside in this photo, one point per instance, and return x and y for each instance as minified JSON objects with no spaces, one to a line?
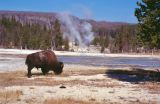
{"x":100,"y":10}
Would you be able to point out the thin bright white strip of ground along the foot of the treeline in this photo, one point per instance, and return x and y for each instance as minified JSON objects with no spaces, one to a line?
{"x":67,"y":53}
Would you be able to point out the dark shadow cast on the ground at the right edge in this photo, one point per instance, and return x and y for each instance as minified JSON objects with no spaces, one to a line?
{"x":134,"y":75}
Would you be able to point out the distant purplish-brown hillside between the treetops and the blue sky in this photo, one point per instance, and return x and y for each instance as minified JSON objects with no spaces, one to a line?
{"x":46,"y":18}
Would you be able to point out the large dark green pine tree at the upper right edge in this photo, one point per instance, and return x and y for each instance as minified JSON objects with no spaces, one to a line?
{"x":148,"y":15}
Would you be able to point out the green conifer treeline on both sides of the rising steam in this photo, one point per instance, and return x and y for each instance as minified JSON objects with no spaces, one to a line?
{"x":14,"y":34}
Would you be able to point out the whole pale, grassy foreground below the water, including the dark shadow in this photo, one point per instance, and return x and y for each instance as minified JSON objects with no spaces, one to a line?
{"x":81,"y":85}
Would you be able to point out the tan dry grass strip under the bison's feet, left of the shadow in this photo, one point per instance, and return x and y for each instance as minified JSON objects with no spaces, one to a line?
{"x":20,"y":78}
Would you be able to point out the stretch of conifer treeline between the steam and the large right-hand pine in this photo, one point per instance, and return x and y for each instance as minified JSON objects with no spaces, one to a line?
{"x":122,"y":39}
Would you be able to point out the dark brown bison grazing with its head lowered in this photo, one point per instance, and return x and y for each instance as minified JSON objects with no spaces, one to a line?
{"x":46,"y":60}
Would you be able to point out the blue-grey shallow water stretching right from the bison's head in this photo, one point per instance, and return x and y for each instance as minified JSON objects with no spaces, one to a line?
{"x":142,"y":62}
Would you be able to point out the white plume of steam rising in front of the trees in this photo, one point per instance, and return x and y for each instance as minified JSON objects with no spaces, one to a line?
{"x":75,"y":30}
